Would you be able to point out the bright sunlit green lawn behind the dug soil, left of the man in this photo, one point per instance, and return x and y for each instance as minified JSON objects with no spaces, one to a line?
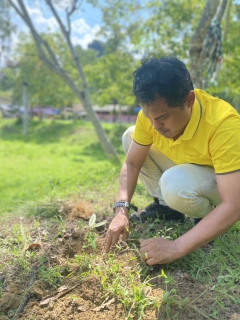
{"x":55,"y":159}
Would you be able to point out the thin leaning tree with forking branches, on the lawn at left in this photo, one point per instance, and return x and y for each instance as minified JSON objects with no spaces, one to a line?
{"x":52,"y":60}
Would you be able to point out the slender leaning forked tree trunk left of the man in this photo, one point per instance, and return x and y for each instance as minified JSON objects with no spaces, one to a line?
{"x":48,"y":57}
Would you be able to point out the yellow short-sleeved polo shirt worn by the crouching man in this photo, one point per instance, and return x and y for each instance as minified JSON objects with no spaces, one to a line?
{"x":212,"y":135}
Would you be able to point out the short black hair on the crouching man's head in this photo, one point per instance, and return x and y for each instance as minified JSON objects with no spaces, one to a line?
{"x":166,"y":78}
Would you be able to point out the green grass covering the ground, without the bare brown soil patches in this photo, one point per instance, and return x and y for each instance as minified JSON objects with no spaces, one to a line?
{"x":63,"y":159}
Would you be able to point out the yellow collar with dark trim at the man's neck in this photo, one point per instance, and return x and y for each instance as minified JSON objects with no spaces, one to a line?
{"x":194,"y":121}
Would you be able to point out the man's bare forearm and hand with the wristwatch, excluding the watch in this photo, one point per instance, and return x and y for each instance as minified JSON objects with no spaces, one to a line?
{"x":128,"y":179}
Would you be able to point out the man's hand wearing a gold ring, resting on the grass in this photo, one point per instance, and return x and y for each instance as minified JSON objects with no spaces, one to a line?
{"x":158,"y":251}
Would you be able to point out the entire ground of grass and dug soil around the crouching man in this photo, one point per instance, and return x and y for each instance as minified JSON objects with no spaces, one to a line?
{"x":51,"y":265}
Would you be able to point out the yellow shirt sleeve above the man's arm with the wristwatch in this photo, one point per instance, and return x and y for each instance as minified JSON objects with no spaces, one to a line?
{"x":143,"y":130}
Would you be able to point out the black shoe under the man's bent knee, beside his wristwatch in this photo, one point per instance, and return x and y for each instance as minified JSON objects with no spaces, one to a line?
{"x":157,"y":211}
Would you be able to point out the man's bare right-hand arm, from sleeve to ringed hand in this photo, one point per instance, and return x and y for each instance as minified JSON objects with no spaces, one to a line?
{"x":160,"y":251}
